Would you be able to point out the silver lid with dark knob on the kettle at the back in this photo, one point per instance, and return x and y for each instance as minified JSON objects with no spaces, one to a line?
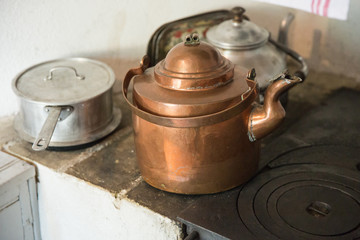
{"x":237,"y":33}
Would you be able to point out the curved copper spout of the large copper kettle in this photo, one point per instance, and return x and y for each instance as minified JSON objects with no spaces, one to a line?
{"x":265,"y":118}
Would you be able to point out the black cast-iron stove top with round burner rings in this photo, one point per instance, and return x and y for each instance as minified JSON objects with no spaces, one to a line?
{"x":308,"y":186}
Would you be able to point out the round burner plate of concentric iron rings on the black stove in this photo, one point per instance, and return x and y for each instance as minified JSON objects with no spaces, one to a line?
{"x":306,"y":201}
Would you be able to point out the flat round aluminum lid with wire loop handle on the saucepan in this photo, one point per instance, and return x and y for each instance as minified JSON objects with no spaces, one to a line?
{"x":64,"y":81}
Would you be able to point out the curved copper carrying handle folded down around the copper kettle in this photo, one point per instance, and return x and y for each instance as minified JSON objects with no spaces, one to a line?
{"x":180,"y":122}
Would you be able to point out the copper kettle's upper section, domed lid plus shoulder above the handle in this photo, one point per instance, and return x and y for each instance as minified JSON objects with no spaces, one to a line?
{"x":193,"y":80}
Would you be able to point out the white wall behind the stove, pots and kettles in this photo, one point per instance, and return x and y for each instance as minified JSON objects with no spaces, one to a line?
{"x":38,"y":30}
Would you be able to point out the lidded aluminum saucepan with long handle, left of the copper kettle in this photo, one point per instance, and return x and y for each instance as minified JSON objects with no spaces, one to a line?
{"x":65,"y":102}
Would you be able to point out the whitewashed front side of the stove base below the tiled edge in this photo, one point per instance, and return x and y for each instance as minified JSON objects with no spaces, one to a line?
{"x":70,"y":208}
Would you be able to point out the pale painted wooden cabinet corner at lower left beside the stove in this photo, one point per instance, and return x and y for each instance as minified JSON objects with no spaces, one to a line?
{"x":19,"y":217}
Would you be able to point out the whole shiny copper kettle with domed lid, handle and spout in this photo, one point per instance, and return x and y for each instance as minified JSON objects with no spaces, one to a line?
{"x":196,"y":122}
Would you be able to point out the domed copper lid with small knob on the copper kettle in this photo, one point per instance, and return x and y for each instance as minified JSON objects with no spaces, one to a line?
{"x":193,"y":66}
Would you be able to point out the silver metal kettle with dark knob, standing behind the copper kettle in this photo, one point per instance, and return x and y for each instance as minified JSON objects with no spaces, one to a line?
{"x":249,"y":45}
